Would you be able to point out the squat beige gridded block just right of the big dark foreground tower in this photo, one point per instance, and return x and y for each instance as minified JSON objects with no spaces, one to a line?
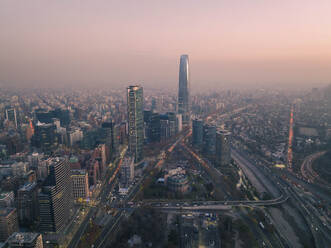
{"x":80,"y":186}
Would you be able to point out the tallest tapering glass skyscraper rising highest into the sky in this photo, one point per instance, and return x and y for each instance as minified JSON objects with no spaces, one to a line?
{"x":183,"y":90}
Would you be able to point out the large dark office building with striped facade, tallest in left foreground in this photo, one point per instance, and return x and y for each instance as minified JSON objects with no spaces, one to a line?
{"x":55,"y":199}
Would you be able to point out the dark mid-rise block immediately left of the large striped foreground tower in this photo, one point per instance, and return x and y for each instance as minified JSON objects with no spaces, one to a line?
{"x":27,"y":204}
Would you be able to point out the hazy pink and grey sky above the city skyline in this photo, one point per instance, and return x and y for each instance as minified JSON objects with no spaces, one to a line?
{"x":230,"y":42}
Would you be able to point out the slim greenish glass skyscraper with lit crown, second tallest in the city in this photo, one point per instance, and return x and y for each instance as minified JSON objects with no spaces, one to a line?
{"x":135,"y":106}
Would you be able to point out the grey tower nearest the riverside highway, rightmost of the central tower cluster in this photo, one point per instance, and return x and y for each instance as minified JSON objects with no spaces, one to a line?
{"x":223,"y":147}
